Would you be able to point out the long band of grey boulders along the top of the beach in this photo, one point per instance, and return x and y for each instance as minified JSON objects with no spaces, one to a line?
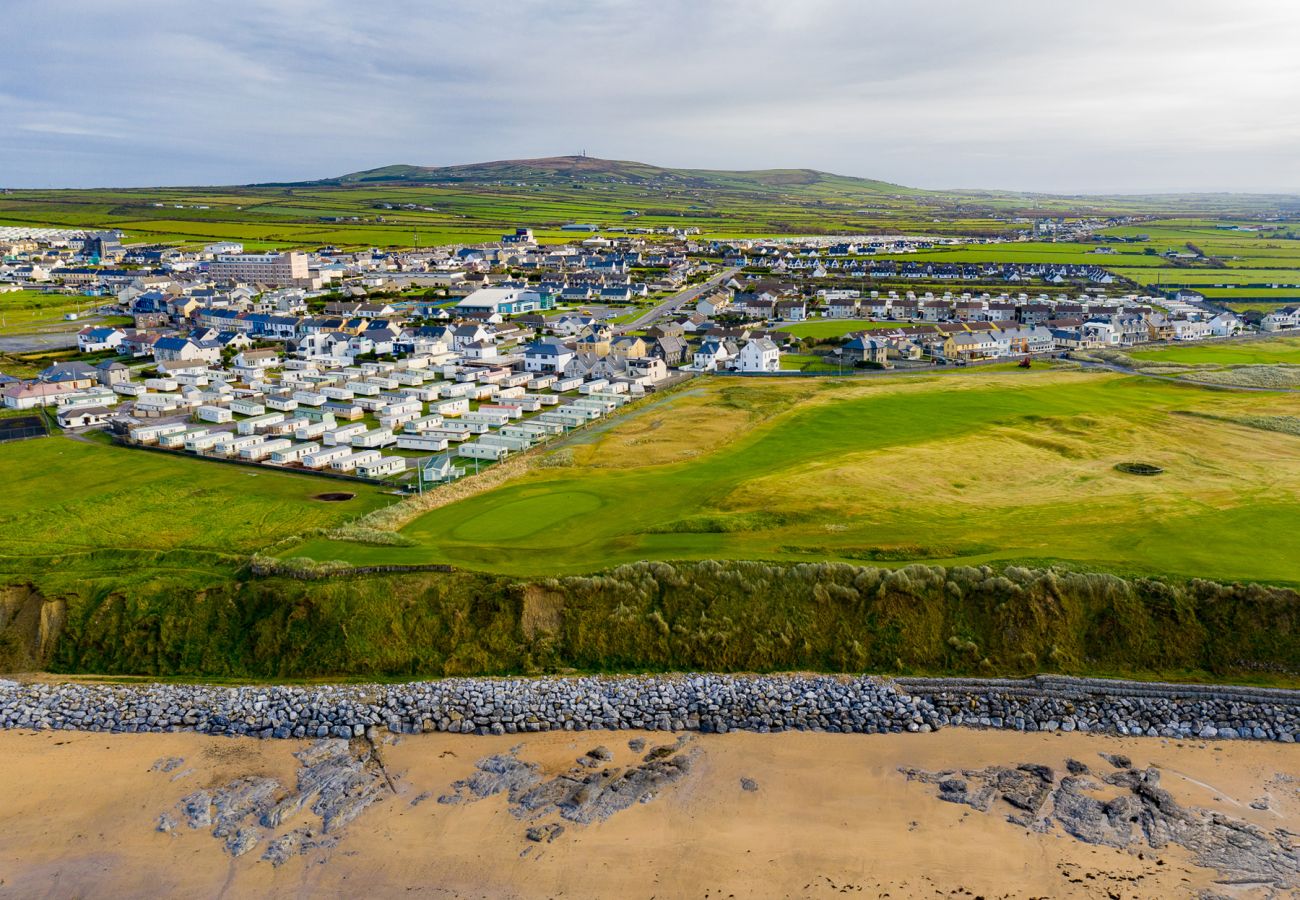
{"x":686,"y":703}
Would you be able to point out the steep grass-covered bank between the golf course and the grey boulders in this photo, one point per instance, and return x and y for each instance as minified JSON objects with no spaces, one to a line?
{"x":709,"y":616}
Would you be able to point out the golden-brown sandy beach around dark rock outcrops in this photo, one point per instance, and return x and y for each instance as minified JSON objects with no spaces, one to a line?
{"x":831,"y":815}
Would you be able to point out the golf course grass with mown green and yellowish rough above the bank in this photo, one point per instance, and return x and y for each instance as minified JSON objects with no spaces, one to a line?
{"x":964,"y":469}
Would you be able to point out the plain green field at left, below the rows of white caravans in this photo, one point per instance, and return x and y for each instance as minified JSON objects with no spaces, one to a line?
{"x":71,"y":497}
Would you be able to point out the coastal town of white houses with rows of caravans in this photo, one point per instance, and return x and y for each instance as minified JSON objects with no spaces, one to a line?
{"x":421,"y":366}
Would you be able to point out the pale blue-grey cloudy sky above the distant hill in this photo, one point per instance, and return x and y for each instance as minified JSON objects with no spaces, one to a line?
{"x":1045,"y":96}
